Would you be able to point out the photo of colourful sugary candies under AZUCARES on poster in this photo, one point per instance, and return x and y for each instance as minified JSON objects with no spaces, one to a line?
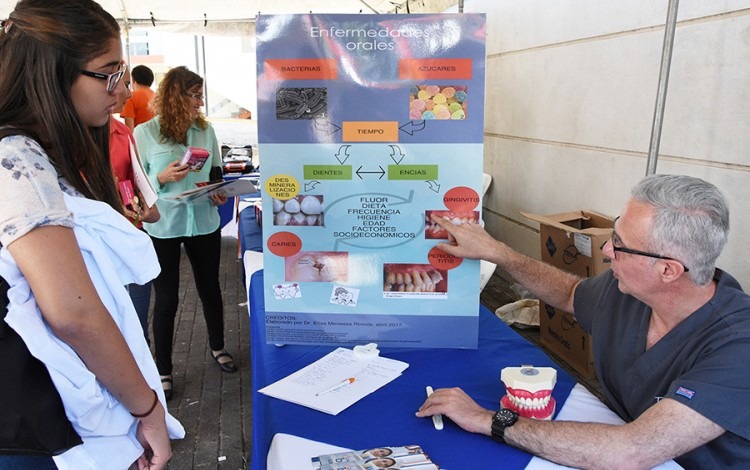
{"x":437,"y":102}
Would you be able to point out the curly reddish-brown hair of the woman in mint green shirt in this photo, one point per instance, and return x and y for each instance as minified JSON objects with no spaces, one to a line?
{"x":172,"y":104}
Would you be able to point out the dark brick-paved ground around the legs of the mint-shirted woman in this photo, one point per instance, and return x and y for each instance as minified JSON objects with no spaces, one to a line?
{"x":214,"y":407}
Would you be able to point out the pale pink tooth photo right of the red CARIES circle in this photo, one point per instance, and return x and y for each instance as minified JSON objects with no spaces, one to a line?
{"x":317,"y":266}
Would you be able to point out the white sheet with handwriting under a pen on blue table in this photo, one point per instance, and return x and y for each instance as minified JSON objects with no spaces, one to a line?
{"x":370,"y":374}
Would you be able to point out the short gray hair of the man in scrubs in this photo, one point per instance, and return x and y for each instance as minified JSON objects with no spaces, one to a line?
{"x":691,"y":221}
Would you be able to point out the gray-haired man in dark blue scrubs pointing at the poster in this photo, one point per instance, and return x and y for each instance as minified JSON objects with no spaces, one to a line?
{"x":670,"y":332}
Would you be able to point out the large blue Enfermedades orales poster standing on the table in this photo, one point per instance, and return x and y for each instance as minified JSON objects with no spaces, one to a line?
{"x":368,"y":124}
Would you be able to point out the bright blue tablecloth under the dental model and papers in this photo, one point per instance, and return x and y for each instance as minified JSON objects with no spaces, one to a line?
{"x":386,"y":417}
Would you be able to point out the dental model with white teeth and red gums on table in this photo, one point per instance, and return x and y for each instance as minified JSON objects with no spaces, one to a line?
{"x":529,"y":391}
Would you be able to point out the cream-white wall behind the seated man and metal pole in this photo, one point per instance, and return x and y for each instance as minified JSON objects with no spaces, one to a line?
{"x":570,"y":102}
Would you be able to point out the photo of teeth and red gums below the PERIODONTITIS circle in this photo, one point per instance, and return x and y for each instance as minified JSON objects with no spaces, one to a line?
{"x":405,"y":280}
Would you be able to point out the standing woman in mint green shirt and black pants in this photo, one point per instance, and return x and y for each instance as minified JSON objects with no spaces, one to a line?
{"x":162,"y":143}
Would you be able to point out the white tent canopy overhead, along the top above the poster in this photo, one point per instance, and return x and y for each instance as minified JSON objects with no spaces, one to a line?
{"x":238,"y":16}
